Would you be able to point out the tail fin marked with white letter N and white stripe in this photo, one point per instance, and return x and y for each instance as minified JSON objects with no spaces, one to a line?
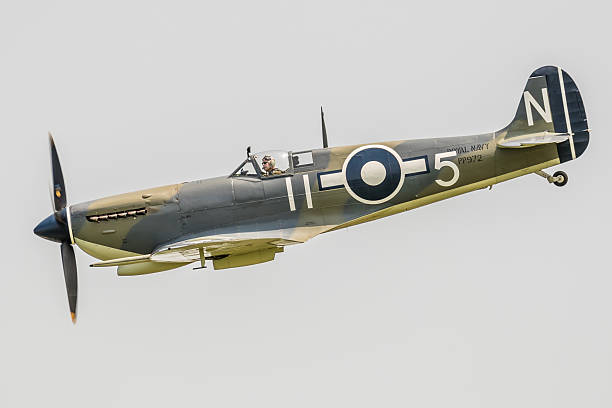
{"x":551,"y":104}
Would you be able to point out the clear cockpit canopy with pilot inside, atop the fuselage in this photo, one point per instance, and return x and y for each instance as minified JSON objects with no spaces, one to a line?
{"x":272,"y":163}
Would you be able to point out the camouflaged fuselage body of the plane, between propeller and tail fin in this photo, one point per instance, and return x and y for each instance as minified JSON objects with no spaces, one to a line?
{"x":306,"y":200}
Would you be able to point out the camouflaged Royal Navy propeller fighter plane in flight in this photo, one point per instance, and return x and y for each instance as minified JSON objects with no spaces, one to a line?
{"x":279,"y":198}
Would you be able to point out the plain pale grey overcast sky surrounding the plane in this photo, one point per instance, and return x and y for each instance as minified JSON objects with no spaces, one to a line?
{"x":497,"y":298}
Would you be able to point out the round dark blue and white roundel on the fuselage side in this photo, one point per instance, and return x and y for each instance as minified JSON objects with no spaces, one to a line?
{"x":373,"y":174}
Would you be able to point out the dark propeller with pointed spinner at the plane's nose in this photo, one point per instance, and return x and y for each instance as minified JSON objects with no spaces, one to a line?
{"x":56,"y":228}
